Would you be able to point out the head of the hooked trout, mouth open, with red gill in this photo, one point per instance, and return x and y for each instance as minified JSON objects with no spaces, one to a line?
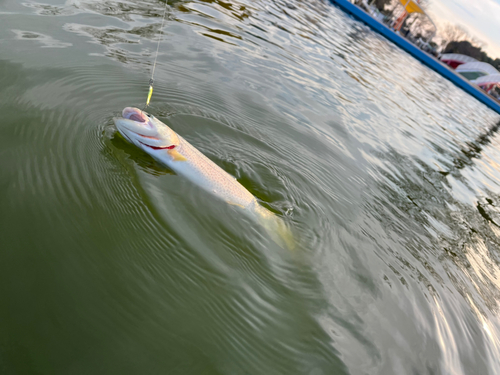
{"x":145,"y":131}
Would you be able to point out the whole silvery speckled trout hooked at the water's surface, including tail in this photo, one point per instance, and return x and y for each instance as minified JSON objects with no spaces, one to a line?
{"x":162,"y":143}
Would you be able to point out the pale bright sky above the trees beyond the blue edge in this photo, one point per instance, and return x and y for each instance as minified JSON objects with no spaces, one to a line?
{"x":480,"y":17}
